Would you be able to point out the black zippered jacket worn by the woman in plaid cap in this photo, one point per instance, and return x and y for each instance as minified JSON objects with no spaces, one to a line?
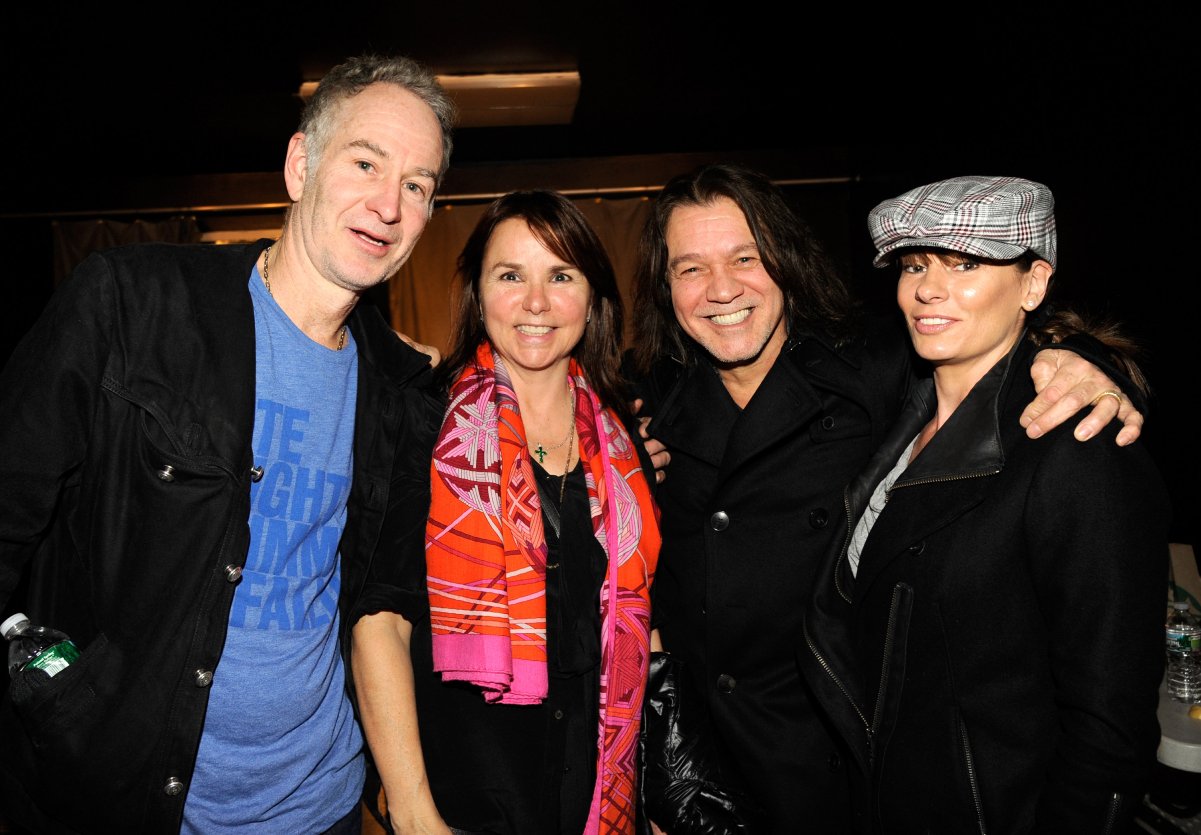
{"x":995,"y":663}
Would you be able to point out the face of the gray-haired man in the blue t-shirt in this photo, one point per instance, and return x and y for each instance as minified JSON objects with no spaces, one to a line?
{"x":361,"y":211}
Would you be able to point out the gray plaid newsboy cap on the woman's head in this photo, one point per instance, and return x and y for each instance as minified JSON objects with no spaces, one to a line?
{"x":987,"y":217}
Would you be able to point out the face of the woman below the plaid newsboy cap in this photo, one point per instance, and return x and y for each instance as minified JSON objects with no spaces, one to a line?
{"x":965,"y":313}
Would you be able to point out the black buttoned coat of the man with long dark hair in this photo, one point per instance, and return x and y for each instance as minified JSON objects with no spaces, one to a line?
{"x":749,"y":508}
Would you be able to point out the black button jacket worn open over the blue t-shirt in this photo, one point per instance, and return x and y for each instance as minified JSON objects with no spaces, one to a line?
{"x":127,"y":419}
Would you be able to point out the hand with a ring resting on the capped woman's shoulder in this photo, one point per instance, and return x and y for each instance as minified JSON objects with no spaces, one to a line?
{"x":1067,"y":384}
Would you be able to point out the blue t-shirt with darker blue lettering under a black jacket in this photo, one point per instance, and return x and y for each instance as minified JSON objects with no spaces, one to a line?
{"x":282,"y":751}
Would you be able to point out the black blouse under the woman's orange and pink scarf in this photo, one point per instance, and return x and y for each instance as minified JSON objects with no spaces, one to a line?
{"x":518,"y":770}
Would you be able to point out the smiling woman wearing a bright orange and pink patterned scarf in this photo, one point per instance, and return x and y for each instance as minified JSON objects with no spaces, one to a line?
{"x":515,"y":657}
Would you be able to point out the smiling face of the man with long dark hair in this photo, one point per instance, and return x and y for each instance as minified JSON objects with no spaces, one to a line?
{"x":721,"y":291}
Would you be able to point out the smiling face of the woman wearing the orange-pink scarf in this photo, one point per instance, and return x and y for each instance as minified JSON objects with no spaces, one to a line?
{"x":535,"y":306}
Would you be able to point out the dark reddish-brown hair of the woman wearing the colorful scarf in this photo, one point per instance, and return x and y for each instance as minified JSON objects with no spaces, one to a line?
{"x":564,"y":230}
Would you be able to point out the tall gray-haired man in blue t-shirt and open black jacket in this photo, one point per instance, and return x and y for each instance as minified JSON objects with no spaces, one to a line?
{"x":202,"y":450}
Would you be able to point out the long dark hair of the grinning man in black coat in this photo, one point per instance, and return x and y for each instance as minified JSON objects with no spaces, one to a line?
{"x":816,"y":296}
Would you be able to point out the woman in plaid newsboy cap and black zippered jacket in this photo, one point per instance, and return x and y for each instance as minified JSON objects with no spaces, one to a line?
{"x":989,"y":637}
